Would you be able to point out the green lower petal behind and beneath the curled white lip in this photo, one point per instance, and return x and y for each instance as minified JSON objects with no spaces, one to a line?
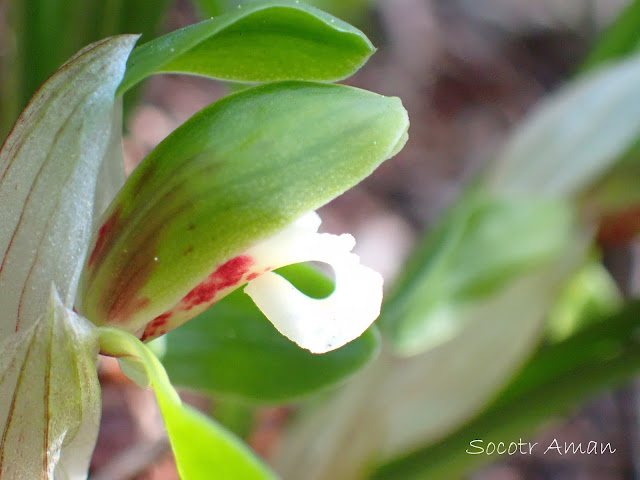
{"x":232,"y":348}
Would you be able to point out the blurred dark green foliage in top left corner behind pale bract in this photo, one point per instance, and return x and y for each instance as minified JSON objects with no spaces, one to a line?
{"x":41,"y":34}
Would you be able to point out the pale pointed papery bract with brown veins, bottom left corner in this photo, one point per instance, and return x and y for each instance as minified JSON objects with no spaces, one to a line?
{"x":49,"y":397}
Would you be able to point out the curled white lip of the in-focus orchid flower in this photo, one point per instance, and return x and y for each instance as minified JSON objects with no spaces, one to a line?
{"x":318,"y":325}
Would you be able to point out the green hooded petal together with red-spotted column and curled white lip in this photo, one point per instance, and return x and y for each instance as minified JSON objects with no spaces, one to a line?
{"x":201,"y":216}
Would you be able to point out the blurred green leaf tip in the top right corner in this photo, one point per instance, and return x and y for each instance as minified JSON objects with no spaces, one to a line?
{"x":619,"y":40}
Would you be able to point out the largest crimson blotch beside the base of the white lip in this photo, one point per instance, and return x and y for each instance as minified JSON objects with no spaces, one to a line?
{"x":225,"y":276}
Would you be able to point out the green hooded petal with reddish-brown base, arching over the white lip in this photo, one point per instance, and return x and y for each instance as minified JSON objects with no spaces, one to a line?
{"x":235,"y":173}
